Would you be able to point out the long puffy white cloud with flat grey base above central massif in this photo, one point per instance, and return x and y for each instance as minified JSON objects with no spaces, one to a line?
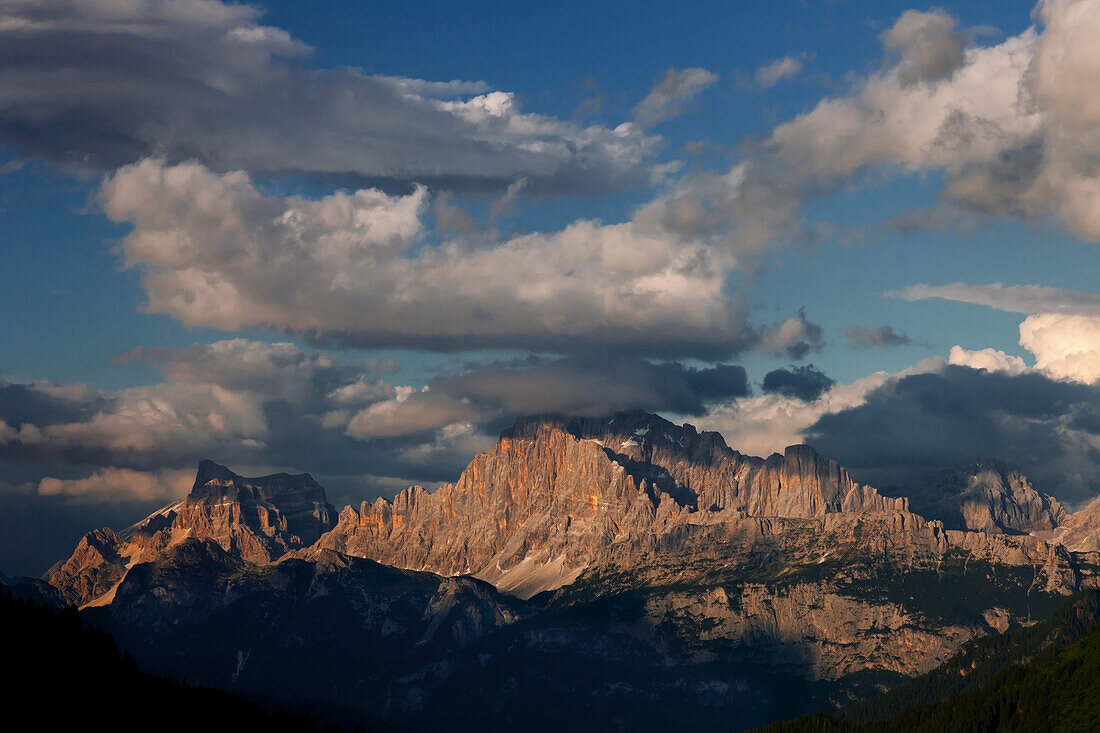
{"x":358,"y":268}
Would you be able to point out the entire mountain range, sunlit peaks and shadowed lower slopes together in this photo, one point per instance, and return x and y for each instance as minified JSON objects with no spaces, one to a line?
{"x":624,"y":573}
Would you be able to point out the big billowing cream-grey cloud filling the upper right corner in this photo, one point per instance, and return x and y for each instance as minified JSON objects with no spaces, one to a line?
{"x":1009,"y":126}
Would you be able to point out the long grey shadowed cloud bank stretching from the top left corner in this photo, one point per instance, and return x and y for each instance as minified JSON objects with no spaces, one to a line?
{"x":100,"y":85}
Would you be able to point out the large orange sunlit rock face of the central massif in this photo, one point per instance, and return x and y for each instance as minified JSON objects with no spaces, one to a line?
{"x":556,"y":497}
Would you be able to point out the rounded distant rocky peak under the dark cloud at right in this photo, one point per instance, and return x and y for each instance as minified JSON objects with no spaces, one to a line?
{"x":986,"y":497}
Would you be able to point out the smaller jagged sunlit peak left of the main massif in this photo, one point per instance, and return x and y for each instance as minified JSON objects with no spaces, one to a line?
{"x":256,"y":520}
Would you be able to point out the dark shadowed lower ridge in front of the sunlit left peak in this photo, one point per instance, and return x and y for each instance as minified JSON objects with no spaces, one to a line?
{"x":331,"y":630}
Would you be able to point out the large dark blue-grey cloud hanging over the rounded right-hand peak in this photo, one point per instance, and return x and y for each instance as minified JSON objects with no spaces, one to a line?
{"x":912,"y":428}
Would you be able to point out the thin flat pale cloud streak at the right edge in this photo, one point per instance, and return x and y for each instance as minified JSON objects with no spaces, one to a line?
{"x":1013,"y":299}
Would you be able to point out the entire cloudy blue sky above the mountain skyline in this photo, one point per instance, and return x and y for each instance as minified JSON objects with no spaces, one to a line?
{"x":359,"y":239}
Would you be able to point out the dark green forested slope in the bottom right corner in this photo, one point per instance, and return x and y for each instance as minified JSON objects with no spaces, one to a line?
{"x":1041,"y":679}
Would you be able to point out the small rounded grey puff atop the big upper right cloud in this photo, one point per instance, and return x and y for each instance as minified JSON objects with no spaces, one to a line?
{"x":930,"y":48}
